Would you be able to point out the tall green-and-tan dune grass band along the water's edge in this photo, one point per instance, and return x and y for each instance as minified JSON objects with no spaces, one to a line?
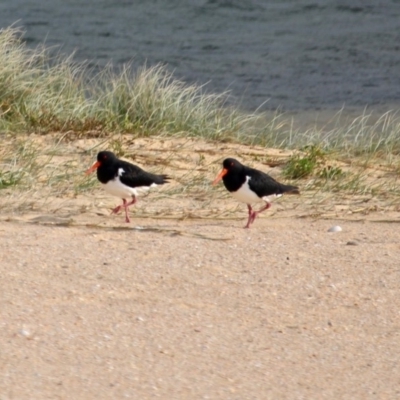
{"x":44,"y":93}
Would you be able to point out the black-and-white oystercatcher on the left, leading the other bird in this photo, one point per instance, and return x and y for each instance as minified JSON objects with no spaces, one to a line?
{"x":123,"y":179}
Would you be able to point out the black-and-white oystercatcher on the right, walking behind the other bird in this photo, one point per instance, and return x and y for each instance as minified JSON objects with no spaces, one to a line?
{"x":249,"y":185}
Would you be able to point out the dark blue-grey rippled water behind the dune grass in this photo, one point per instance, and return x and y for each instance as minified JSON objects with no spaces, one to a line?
{"x":294,"y":54}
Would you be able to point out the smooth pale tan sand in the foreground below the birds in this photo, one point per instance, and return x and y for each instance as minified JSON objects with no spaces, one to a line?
{"x":199,"y":309}
